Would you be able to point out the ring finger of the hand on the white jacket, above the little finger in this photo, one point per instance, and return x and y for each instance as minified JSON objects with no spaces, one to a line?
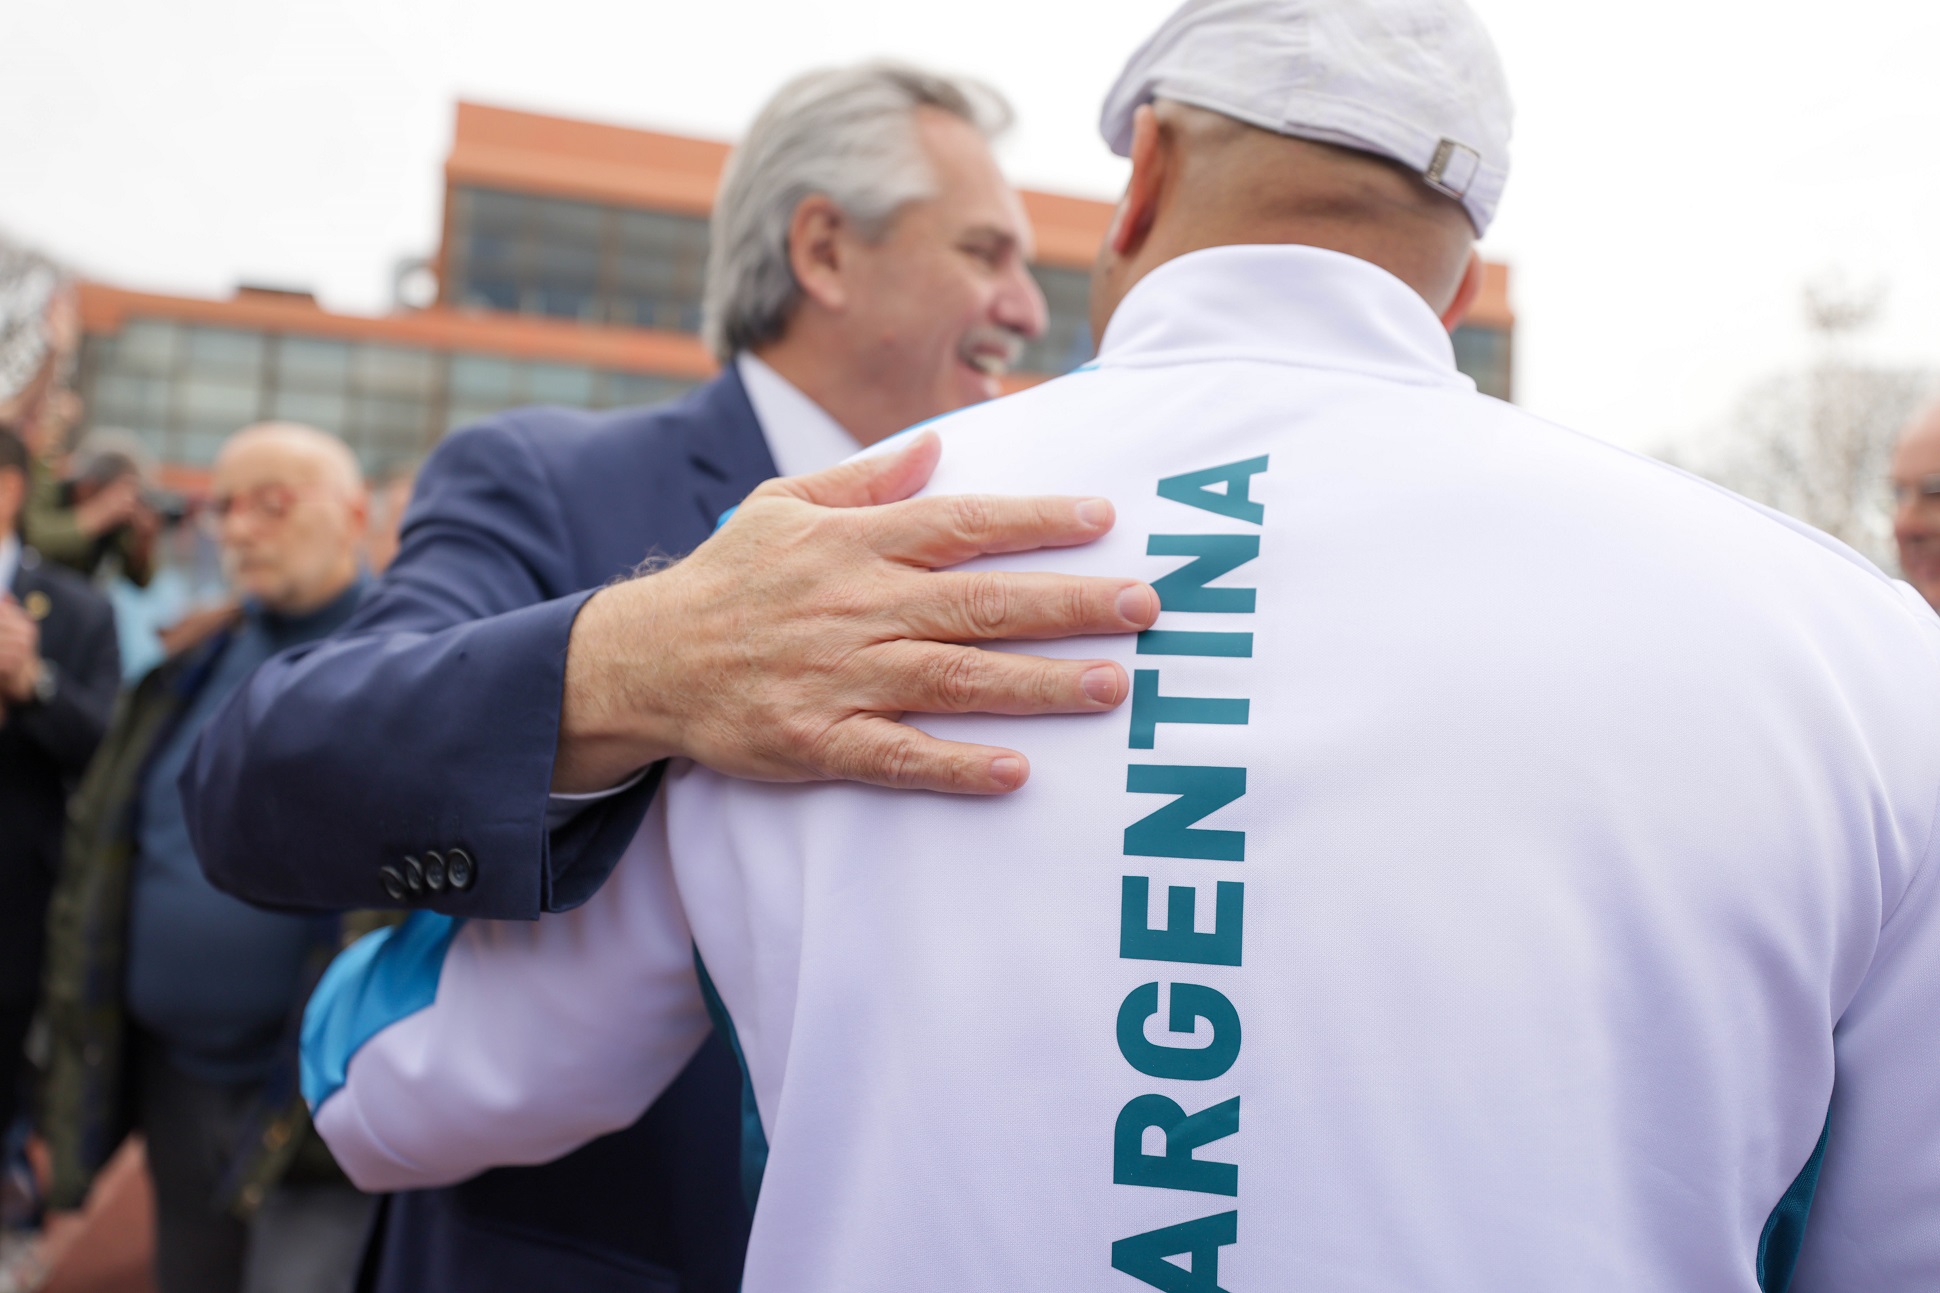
{"x":967,"y":680}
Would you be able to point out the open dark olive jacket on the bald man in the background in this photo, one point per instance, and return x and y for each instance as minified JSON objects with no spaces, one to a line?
{"x":88,"y":1098}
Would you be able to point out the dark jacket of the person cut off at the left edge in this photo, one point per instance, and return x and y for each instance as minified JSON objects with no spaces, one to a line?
{"x":44,"y":750}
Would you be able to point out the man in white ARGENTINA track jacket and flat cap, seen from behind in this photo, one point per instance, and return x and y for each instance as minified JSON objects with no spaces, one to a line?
{"x":1514,"y":871}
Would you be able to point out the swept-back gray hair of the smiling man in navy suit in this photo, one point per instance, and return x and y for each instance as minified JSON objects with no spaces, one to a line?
{"x":847,"y":135}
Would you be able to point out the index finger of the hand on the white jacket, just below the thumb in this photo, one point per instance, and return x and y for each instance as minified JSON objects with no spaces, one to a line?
{"x":954,"y":529}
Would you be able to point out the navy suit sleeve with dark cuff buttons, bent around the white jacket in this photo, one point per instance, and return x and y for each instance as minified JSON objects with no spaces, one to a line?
{"x":426,"y":725}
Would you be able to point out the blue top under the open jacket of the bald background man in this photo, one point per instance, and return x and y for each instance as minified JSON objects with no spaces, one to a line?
{"x":209,"y":976}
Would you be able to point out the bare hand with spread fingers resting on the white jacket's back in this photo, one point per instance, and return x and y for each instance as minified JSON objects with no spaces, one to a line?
{"x":791,"y":646}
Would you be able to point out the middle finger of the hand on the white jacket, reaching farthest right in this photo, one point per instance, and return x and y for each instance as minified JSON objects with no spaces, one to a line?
{"x":983,"y":607}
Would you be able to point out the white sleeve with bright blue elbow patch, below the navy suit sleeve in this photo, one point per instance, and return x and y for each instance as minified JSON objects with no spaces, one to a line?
{"x":439,"y":1049}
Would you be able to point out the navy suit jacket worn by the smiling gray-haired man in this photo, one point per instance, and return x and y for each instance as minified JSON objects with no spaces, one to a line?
{"x":424,"y":735}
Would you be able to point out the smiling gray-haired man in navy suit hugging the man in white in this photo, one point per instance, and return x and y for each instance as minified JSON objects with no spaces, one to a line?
{"x":486,"y":737}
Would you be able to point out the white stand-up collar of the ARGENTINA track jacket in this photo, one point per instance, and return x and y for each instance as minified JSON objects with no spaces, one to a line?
{"x":1281,"y":304}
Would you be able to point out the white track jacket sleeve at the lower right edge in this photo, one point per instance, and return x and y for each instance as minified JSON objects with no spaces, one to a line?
{"x":1875,"y":1222}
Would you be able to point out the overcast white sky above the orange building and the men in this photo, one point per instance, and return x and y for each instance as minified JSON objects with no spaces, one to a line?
{"x":1681,"y":166}
